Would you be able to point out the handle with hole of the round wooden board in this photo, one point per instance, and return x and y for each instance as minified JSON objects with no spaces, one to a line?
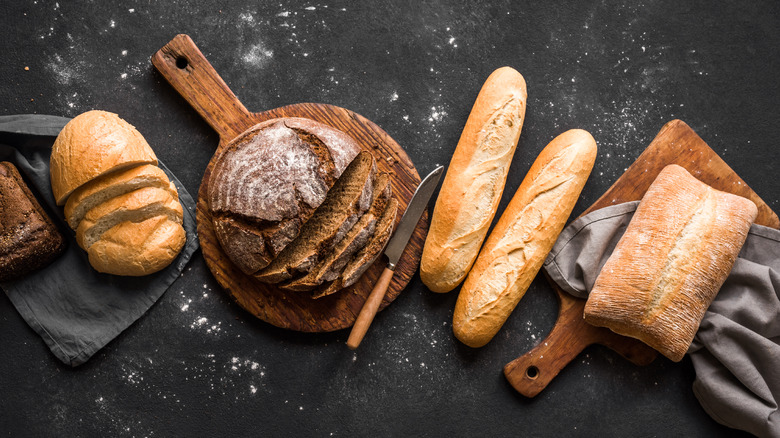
{"x":189,"y":72}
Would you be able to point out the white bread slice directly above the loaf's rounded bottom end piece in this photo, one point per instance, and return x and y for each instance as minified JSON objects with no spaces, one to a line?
{"x":135,"y":206}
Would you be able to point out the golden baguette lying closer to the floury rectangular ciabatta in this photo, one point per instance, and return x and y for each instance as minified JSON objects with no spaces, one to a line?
{"x":523,"y":236}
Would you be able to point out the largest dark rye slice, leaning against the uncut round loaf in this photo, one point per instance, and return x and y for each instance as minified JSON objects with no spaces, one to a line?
{"x":349,"y":198}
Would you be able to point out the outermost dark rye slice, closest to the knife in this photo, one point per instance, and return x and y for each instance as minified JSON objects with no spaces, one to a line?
{"x":366,"y":256}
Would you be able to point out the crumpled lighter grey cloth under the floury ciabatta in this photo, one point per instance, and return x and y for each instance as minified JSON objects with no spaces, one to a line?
{"x":736,"y":352}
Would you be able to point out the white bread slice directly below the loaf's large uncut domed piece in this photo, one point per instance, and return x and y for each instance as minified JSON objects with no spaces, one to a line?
{"x":112,"y":185}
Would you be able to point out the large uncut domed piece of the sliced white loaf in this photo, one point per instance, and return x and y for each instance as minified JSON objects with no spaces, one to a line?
{"x":92,"y":144}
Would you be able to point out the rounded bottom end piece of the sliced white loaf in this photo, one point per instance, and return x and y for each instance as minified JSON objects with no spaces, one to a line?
{"x":137,"y":248}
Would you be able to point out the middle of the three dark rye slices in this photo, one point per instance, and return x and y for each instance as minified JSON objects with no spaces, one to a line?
{"x":330,"y":266}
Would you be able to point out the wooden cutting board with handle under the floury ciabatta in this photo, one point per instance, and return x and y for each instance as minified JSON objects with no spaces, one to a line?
{"x":676,"y":143}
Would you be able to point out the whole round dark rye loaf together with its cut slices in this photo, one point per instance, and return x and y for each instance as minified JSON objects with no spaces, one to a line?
{"x":297,"y":204}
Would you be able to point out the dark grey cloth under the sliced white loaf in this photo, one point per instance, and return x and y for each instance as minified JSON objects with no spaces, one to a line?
{"x":75,"y":309}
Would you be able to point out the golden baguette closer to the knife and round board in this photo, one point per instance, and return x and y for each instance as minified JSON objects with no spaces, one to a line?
{"x":475,"y":181}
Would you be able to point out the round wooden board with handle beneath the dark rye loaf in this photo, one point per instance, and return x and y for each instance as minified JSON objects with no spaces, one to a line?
{"x":185,"y":67}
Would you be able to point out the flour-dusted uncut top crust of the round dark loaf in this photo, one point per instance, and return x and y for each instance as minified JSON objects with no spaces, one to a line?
{"x":279,"y":169}
